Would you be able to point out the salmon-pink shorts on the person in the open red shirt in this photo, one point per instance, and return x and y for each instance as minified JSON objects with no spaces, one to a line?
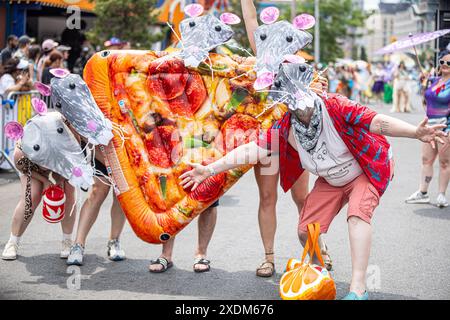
{"x":325,"y":201}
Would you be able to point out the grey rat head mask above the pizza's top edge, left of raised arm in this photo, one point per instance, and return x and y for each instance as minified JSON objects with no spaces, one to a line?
{"x":201,"y":34}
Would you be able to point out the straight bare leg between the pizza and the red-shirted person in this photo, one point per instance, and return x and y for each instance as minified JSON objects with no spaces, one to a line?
{"x":267,"y":185}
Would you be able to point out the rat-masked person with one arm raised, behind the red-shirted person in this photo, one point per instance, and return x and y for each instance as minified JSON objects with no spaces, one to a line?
{"x":275,"y":42}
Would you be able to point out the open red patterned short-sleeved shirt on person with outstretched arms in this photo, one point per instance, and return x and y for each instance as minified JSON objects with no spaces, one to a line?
{"x":352,"y":122}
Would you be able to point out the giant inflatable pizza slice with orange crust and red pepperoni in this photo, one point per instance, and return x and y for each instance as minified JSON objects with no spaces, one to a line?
{"x":168,"y":116}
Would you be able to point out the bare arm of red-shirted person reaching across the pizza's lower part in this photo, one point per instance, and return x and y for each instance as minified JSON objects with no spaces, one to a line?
{"x":246,"y":154}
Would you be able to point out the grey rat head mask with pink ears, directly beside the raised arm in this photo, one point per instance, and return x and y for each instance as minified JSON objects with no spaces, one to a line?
{"x":277,"y":41}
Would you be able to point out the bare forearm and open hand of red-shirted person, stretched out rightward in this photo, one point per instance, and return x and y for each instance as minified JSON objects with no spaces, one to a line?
{"x":389,"y":126}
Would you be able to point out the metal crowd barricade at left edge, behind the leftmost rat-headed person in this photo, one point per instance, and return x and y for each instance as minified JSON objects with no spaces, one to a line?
{"x":15,"y":107}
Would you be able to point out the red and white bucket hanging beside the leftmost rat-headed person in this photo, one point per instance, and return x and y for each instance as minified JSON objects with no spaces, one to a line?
{"x":53,"y":204}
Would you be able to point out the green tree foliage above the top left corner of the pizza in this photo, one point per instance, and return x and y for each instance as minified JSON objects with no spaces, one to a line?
{"x":128,"y":20}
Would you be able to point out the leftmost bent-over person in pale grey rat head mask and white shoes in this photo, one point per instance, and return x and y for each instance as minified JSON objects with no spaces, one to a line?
{"x":43,"y":166}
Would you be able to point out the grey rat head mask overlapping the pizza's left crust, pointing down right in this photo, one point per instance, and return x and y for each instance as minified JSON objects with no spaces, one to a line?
{"x":71,"y":96}
